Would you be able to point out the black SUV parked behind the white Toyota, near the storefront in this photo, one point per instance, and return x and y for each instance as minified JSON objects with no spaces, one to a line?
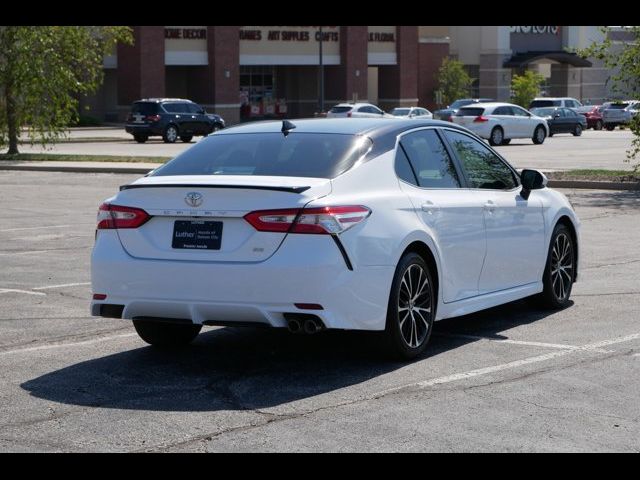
{"x":170,"y":118}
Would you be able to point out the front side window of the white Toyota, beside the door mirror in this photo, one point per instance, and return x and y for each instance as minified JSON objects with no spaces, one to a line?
{"x":484,"y":168}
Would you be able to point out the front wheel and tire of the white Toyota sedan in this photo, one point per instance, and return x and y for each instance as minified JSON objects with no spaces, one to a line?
{"x":558,"y":282}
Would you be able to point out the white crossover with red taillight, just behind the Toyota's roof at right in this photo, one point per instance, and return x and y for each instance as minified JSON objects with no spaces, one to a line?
{"x":501,"y":122}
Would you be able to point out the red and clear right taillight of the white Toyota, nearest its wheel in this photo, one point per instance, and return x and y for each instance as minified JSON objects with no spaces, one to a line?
{"x":323,"y":220}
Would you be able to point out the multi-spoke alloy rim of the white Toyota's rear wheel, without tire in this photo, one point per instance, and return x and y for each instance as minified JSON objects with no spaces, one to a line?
{"x":414,"y":306}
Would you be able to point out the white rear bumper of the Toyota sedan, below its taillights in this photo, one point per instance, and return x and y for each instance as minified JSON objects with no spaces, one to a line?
{"x":305,"y":269}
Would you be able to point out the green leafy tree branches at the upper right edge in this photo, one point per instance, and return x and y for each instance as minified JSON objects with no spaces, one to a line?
{"x":623,"y":61}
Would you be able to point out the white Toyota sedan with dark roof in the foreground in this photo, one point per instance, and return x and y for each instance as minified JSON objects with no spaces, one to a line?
{"x":353,"y":224}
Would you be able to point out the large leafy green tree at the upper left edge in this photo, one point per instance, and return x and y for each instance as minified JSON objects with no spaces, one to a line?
{"x":43,"y":72}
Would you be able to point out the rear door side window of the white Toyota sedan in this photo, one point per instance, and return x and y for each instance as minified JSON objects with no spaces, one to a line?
{"x":430,"y":160}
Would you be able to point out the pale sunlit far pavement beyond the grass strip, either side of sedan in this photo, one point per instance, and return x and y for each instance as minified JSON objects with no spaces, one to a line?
{"x":601,"y":149}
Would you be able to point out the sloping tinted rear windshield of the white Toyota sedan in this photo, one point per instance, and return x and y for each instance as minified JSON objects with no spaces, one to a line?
{"x":270,"y":154}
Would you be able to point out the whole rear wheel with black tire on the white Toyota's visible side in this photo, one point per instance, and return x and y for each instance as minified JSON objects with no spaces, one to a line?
{"x":412,"y":291}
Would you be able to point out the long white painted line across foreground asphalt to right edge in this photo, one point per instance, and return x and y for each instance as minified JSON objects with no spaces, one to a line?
{"x":505,"y":366}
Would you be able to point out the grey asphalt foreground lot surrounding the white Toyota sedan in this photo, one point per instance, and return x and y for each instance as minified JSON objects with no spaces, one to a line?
{"x":513,"y":378}
